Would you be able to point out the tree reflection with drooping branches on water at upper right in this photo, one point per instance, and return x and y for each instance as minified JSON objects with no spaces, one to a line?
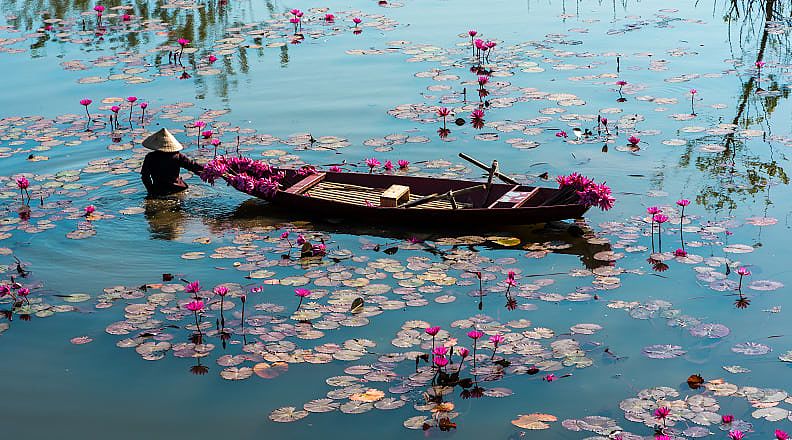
{"x":737,"y":171}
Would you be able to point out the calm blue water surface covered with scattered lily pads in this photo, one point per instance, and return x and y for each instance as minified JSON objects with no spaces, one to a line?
{"x":373,"y":94}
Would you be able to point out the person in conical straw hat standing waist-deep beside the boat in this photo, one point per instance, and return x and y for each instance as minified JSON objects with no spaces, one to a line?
{"x":160,"y":171}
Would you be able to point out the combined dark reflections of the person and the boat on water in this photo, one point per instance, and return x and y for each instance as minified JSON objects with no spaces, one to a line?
{"x":168,"y":218}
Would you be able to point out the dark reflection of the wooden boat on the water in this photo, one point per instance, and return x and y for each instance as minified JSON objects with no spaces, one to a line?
{"x":556,"y":237}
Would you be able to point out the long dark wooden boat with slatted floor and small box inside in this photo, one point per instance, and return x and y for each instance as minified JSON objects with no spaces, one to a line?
{"x":416,"y":201}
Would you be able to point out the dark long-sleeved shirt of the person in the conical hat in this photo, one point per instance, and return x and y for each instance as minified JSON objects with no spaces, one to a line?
{"x":160,"y":172}
